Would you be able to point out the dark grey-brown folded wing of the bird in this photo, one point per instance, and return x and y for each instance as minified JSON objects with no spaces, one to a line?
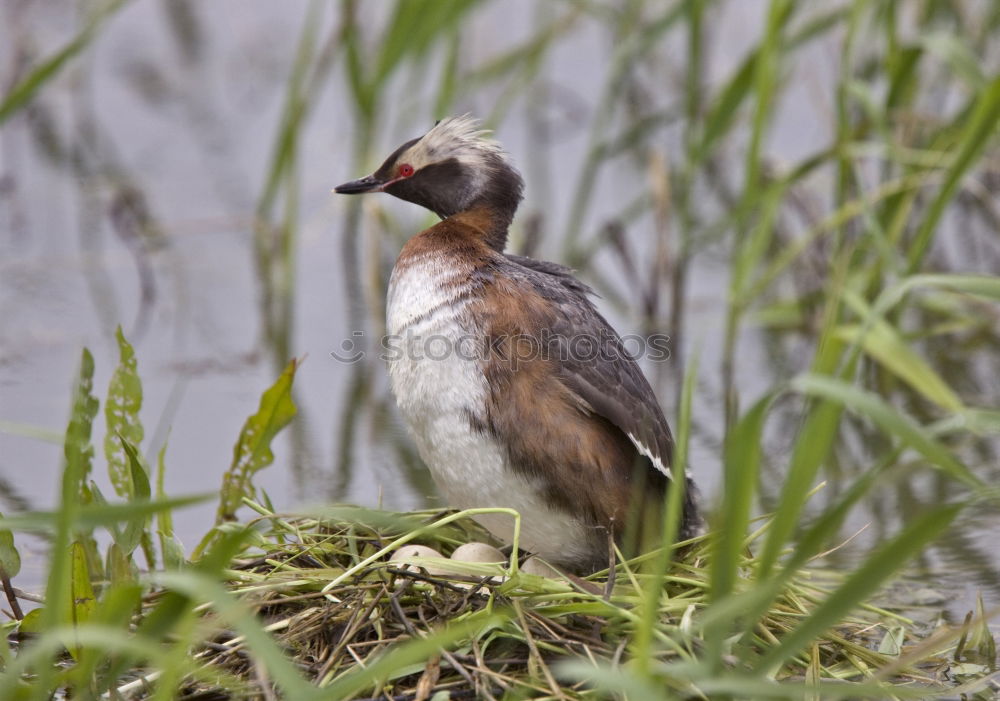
{"x":594,"y":363}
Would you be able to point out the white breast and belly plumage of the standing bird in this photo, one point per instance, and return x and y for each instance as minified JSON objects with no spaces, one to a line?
{"x":437,"y":378}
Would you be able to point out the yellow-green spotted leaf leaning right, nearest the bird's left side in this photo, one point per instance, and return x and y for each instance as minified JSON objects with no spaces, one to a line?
{"x":253,"y":448}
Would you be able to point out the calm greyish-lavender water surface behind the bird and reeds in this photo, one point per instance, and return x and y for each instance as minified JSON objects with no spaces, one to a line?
{"x":174,"y":111}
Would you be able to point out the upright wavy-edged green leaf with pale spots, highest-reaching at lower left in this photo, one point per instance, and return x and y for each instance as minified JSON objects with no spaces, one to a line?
{"x":121,"y":414}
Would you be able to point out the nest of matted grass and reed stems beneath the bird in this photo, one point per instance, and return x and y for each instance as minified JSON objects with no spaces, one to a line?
{"x":326,"y":591}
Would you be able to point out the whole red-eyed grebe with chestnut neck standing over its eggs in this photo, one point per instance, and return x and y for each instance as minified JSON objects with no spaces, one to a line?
{"x":548,"y":413}
